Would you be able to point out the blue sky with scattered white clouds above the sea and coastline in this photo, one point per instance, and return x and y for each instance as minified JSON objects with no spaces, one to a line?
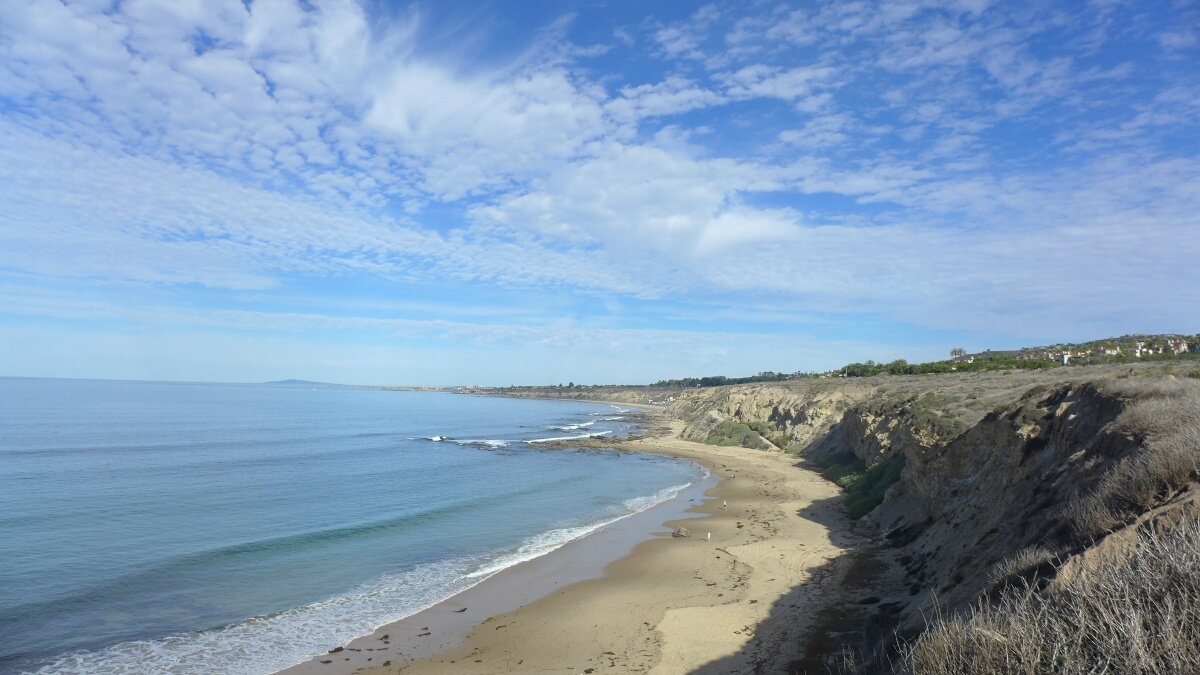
{"x":497,"y":194}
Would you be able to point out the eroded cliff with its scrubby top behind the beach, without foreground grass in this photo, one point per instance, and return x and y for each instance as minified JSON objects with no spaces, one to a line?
{"x":1013,"y":481}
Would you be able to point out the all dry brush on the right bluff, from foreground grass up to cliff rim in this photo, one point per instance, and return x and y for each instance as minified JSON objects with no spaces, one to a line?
{"x":1135,"y":608}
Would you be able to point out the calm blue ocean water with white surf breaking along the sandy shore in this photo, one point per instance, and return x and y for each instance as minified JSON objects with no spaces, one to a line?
{"x":239,"y":529}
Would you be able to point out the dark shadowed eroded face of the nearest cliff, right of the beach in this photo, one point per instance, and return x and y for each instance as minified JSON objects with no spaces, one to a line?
{"x":1000,"y":487}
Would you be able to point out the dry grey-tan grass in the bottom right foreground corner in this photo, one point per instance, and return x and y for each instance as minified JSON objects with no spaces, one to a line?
{"x":1136,"y":614}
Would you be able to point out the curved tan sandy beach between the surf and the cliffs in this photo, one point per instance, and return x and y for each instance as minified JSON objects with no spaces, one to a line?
{"x":739,"y":604}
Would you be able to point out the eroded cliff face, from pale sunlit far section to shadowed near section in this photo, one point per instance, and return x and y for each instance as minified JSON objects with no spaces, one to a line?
{"x":976,"y":487}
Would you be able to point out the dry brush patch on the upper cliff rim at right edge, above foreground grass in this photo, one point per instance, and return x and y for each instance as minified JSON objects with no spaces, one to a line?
{"x":1167,"y":414}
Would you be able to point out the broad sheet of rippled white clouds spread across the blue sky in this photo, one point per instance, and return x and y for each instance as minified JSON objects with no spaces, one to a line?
{"x":859,"y":159}
